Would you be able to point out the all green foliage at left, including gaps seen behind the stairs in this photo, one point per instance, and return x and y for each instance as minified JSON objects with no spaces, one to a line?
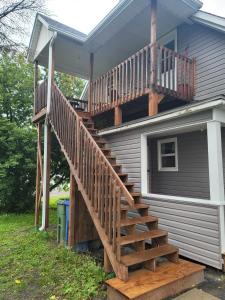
{"x":18,"y":134}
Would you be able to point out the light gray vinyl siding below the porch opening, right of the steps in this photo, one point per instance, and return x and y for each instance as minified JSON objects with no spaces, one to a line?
{"x":193,"y":228}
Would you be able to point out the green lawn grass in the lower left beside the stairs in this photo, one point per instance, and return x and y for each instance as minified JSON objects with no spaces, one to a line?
{"x":33,"y":266}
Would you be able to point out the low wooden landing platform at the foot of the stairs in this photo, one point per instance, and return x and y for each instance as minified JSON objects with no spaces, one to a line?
{"x":169,"y":280}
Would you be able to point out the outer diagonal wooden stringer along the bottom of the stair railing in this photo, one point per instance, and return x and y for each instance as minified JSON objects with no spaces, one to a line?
{"x":120,"y":269}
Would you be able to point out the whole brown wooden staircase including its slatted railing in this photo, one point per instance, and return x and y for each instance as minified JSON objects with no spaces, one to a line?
{"x":107,"y":192}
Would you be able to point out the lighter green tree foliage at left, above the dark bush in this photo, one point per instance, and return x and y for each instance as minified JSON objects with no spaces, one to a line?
{"x":16,"y":88}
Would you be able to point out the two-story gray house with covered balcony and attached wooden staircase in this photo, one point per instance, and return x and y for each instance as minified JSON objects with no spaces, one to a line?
{"x":146,"y":151}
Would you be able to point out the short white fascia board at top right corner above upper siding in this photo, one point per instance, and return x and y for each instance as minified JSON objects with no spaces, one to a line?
{"x":207,"y":19}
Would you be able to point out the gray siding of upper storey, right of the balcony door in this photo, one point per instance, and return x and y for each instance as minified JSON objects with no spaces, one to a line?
{"x":208,"y":47}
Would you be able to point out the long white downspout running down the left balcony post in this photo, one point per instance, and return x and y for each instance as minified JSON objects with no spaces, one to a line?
{"x":46,"y":133}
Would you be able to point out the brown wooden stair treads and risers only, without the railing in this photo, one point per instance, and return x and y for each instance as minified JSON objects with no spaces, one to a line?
{"x":130,"y":235}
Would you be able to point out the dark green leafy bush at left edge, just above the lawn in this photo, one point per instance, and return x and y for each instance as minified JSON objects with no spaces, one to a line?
{"x":17,"y":167}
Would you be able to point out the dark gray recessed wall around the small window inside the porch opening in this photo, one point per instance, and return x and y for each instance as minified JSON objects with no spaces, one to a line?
{"x":192,"y":177}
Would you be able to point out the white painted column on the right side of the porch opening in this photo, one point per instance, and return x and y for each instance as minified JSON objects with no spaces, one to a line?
{"x":216,"y":177}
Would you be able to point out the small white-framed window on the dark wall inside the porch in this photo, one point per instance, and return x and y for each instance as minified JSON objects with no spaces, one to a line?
{"x":167,"y":155}
